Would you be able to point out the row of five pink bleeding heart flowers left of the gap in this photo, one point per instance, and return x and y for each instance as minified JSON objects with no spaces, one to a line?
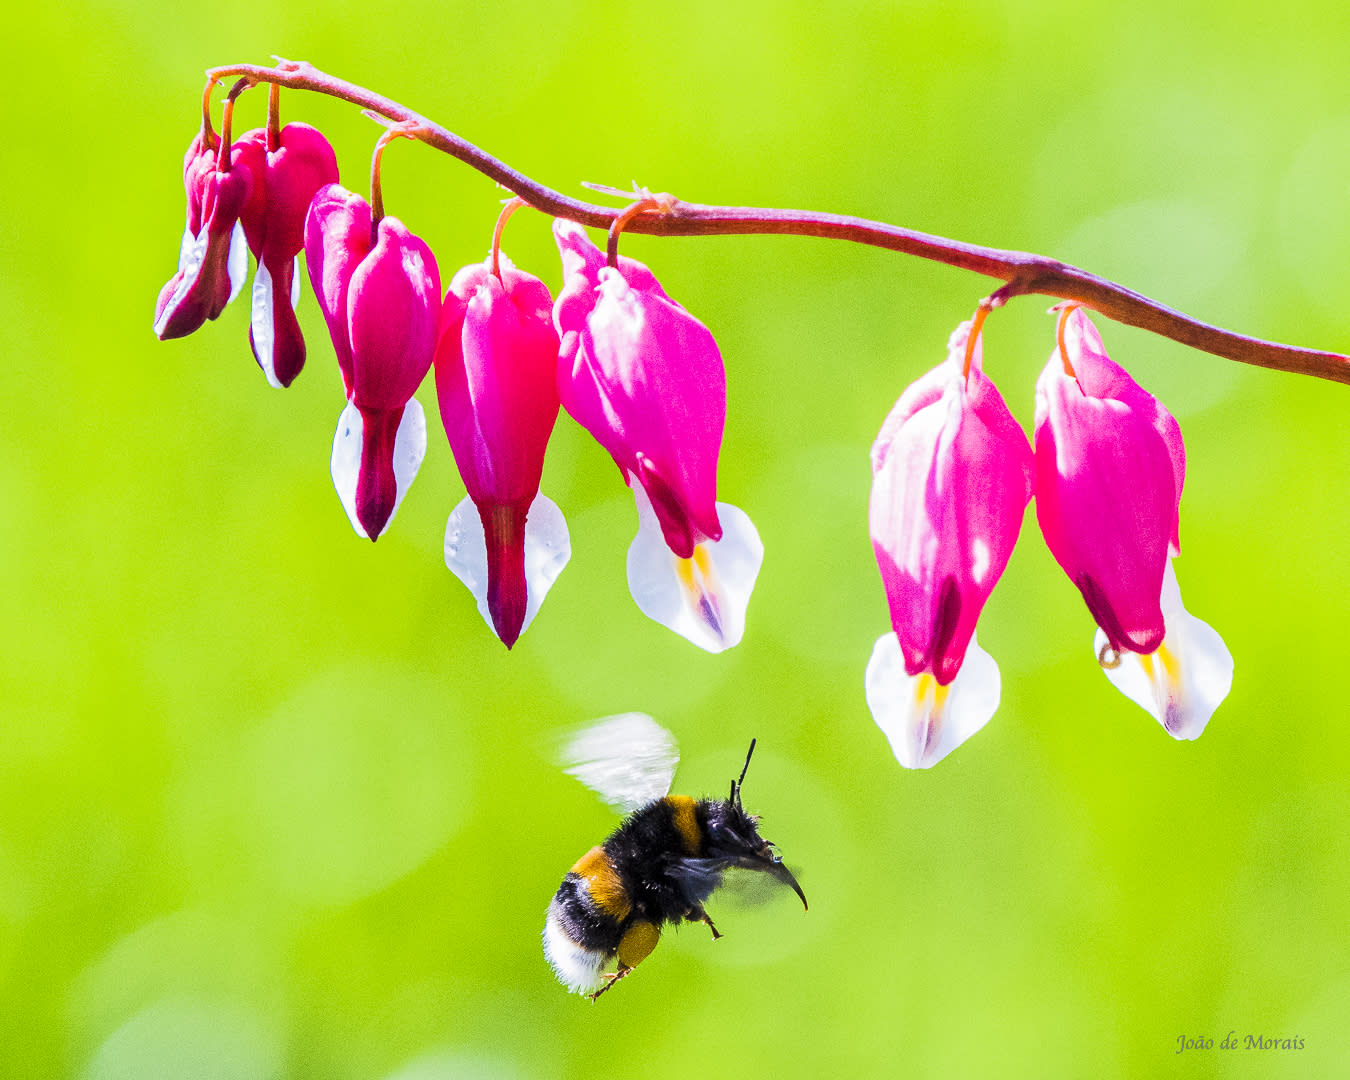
{"x":632,"y":367}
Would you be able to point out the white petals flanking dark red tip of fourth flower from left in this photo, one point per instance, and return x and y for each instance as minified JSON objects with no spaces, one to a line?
{"x":547,"y":550}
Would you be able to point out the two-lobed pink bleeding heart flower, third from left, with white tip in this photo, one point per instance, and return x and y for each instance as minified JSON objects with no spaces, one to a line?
{"x":380,"y":294}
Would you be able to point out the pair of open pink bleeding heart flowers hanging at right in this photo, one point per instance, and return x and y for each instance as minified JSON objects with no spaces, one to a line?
{"x":952,"y":475}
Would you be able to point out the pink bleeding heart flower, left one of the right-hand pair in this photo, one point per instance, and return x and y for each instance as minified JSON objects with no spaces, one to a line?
{"x":951,"y":481}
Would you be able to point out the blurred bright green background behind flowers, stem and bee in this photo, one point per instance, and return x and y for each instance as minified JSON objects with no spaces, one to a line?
{"x":273,"y":801}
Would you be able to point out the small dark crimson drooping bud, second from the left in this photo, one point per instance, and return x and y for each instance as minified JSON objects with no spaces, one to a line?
{"x":288,"y":178}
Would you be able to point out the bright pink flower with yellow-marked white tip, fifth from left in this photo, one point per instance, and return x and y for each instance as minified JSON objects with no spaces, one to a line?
{"x":646,"y":380}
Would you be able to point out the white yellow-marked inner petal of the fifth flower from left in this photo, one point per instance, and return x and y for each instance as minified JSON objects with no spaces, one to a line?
{"x":703,"y":599}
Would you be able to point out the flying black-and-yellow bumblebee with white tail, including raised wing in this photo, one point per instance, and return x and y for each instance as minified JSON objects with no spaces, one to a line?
{"x":659,"y":866}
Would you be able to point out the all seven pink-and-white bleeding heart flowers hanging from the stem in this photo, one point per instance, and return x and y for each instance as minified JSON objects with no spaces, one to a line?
{"x":952,"y":470}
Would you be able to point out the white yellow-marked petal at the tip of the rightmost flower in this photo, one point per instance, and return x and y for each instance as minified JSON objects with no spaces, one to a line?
{"x":1186,"y":678}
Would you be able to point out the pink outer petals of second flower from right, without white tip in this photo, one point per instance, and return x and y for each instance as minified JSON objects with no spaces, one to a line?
{"x":952,"y":477}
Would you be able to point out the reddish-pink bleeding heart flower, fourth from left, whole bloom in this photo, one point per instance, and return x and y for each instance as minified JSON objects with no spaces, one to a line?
{"x":499,"y":402}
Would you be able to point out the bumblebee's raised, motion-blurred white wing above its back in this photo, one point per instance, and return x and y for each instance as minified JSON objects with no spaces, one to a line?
{"x":628,"y":759}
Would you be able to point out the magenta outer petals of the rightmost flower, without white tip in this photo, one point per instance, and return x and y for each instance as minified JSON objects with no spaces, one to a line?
{"x":1109,"y":468}
